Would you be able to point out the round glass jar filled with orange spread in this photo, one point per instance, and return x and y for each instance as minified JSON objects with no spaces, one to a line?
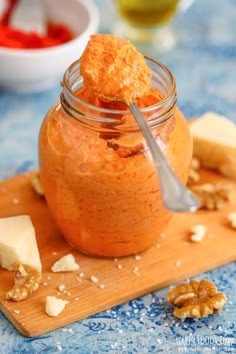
{"x":99,"y":179}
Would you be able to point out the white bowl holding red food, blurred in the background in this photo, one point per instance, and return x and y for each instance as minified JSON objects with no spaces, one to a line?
{"x":24,"y":70}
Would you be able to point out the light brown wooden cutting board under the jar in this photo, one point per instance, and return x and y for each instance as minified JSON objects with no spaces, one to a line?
{"x":175,"y":258}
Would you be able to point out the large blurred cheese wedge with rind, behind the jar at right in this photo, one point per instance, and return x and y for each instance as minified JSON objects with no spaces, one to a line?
{"x":214,"y":143}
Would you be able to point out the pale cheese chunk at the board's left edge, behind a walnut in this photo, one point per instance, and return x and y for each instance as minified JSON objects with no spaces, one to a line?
{"x":18,"y":243}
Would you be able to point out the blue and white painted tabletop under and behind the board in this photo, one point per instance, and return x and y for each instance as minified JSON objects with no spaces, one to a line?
{"x":204,"y":65}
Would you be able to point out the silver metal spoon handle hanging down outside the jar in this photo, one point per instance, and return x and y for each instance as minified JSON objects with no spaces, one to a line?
{"x":175,"y":195}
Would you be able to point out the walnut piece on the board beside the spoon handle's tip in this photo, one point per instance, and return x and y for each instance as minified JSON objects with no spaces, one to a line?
{"x":213,"y":196}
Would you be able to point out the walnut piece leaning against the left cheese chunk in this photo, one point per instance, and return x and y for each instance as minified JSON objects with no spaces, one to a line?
{"x":26,"y":282}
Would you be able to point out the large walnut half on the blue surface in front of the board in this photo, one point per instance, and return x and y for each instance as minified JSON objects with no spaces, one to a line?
{"x":196,"y":299}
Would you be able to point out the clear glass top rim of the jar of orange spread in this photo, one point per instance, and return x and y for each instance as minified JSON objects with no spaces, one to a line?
{"x":171,"y":94}
